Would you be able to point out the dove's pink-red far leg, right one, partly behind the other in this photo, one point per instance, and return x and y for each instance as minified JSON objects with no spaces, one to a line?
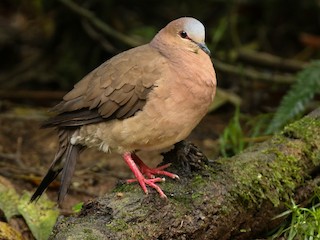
{"x":150,"y":172}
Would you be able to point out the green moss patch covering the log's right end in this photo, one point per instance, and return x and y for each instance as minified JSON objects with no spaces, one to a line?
{"x":273,"y":174}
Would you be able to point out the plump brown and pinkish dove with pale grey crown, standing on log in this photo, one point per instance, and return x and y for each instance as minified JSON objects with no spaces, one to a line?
{"x":147,"y":98}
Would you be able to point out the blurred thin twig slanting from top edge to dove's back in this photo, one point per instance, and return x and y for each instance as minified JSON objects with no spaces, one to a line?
{"x":102,"y":26}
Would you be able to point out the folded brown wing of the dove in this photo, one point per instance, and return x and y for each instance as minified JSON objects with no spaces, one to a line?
{"x":116,"y":89}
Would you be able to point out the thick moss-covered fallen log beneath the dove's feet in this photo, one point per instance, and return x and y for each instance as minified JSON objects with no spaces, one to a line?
{"x":229,"y":198}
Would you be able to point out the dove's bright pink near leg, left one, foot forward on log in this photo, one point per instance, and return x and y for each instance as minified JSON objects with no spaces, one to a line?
{"x":140,"y":178}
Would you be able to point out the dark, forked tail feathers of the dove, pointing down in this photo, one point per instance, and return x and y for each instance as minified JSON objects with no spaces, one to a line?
{"x":65,"y":161}
